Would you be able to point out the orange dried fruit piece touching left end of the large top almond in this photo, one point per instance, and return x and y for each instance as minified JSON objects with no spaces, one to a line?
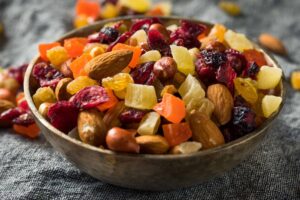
{"x":77,"y":66}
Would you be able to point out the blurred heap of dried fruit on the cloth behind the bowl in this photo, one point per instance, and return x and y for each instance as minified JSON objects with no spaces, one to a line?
{"x":89,"y":11}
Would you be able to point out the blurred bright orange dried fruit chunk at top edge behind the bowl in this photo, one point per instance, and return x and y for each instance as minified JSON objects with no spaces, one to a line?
{"x":88,"y":8}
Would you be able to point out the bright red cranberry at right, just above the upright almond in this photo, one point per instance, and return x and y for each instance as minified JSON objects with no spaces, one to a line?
{"x":226,"y":75}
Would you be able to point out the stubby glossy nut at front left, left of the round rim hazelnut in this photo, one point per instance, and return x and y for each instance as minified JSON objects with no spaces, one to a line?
{"x":91,"y":127}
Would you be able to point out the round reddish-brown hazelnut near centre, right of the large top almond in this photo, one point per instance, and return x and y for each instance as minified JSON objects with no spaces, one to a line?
{"x":165,"y":68}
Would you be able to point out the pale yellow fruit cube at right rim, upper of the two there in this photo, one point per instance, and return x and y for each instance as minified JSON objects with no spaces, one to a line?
{"x":268,"y":77}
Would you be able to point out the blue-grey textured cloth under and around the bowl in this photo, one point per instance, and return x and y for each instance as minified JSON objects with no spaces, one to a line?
{"x":34,"y":170}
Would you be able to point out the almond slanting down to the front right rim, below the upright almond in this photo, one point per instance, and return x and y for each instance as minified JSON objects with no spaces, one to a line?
{"x":205,"y":131}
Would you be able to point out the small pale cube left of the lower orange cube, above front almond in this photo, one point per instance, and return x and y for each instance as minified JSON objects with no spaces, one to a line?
{"x":149,"y":124}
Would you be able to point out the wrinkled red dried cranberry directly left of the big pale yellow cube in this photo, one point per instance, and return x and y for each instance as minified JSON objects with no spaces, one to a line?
{"x":90,"y":97}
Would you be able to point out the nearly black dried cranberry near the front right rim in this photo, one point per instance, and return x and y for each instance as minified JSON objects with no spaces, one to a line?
{"x":243,"y":120}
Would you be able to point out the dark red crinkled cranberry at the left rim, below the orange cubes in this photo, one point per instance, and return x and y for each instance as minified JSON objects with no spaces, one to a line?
{"x":47,"y":75}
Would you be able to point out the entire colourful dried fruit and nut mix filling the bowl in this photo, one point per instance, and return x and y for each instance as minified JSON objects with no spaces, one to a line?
{"x":144,"y":86}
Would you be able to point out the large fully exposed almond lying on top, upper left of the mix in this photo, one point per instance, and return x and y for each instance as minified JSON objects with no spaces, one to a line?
{"x":108,"y":64}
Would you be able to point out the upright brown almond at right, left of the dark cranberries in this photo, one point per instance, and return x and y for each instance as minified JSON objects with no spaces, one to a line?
{"x":223,"y":101}
